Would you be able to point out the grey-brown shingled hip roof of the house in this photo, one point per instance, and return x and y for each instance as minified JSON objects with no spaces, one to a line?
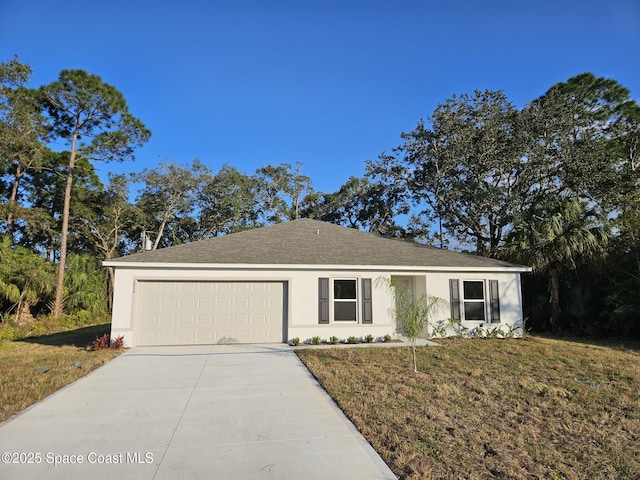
{"x":310,"y":242}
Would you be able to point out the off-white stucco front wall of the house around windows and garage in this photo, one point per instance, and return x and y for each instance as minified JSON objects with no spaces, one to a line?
{"x":302,"y":298}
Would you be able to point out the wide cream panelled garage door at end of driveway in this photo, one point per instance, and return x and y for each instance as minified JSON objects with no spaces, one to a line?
{"x":184,"y":313}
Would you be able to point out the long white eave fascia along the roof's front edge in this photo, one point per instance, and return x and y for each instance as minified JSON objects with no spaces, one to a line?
{"x":380,"y":268}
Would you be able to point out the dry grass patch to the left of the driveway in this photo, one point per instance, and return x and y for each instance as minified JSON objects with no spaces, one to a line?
{"x":35,"y":368}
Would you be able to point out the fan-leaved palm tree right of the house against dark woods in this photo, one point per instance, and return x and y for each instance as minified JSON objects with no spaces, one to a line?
{"x":551,"y":237}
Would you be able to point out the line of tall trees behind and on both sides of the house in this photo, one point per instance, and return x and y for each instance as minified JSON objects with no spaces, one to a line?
{"x":554,"y":185}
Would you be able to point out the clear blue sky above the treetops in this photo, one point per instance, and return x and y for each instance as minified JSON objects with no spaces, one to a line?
{"x":326,"y":83}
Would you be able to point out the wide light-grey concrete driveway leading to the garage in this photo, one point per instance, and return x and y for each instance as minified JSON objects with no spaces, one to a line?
{"x":223,"y":412}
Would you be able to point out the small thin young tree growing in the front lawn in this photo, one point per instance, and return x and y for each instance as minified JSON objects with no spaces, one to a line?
{"x":413,"y":314}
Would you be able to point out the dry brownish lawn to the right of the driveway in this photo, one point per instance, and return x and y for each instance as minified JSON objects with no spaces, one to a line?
{"x":512,"y":409}
